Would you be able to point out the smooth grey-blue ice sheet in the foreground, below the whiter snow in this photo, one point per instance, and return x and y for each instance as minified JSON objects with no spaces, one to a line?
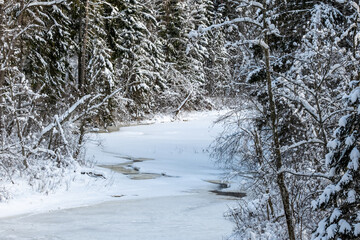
{"x":190,"y":217}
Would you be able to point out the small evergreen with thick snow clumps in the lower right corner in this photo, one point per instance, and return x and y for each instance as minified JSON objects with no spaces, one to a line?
{"x":341,"y":198}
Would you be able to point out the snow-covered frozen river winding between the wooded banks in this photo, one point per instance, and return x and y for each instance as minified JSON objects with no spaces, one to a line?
{"x":165,"y":196}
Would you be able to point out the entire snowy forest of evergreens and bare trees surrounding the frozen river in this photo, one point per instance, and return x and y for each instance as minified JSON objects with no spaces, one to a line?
{"x":288,"y":70}
